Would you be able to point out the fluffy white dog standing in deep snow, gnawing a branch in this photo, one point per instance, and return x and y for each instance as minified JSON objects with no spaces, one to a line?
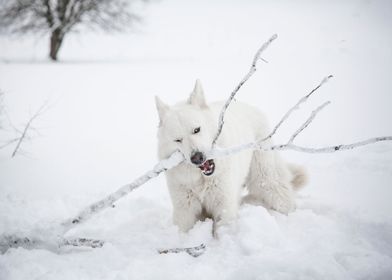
{"x":212,"y":188}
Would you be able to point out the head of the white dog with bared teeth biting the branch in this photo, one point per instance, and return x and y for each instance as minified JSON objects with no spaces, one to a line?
{"x":188,"y":127}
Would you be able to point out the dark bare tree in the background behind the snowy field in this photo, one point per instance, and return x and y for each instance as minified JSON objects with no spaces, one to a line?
{"x":59,"y":17}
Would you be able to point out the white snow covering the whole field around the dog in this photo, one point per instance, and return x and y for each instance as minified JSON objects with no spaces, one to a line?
{"x":99,"y":133}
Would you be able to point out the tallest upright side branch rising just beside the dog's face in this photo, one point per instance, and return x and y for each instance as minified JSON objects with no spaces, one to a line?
{"x":252,"y":70}
